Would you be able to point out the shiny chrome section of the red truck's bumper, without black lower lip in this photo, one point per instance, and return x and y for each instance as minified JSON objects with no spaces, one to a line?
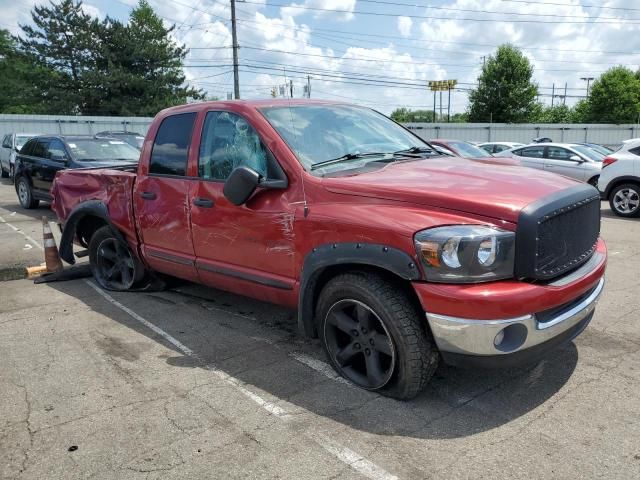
{"x":502,"y":337}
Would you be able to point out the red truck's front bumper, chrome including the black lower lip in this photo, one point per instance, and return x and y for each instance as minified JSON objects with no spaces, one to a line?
{"x":506,"y":342}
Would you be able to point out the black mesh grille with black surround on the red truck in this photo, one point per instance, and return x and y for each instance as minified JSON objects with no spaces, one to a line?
{"x":558,"y":234}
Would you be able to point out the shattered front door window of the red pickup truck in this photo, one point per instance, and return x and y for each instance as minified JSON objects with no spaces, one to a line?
{"x":228,"y":141}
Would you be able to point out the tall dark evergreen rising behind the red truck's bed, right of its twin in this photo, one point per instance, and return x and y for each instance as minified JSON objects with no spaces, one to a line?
{"x":141,"y":67}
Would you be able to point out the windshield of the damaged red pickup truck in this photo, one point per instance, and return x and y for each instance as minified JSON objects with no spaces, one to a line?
{"x":317,"y":133}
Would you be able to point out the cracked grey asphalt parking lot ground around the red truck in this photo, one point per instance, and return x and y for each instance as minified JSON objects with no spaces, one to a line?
{"x":197,"y":383}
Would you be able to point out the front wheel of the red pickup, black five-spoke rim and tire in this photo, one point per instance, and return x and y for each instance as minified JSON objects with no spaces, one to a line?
{"x":374,"y":336}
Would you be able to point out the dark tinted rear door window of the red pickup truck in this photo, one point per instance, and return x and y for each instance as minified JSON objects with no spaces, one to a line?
{"x":171,"y":145}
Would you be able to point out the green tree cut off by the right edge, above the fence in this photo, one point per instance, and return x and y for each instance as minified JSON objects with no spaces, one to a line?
{"x":615,"y":97}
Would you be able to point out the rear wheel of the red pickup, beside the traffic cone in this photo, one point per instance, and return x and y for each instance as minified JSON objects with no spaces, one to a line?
{"x":113,"y":265}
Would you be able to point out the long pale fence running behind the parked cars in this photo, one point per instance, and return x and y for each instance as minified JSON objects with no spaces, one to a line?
{"x":473,"y":132}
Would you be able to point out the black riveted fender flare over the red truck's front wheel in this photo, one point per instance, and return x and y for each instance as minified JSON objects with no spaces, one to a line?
{"x":393,"y":260}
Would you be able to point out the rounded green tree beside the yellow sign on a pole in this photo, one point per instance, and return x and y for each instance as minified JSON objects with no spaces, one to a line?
{"x":506,"y":92}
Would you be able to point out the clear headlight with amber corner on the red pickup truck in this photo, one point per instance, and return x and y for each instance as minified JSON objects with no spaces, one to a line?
{"x":466,"y":253}
